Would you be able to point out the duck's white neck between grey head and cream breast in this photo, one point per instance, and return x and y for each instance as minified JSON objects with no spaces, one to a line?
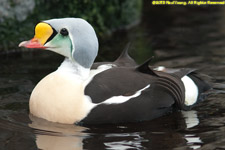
{"x":72,"y":67}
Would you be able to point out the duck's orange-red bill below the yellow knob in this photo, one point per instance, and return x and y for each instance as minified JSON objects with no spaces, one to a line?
{"x":33,"y":43}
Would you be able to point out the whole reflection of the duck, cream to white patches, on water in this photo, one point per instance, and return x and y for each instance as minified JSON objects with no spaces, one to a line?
{"x":55,"y":136}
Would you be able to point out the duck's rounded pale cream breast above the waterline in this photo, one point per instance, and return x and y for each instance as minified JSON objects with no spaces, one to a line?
{"x":59,"y":97}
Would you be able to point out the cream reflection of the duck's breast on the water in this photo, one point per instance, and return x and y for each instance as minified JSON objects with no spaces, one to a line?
{"x":55,"y":136}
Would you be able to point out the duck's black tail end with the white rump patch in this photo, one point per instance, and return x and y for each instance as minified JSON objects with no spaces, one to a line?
{"x":196,"y":85}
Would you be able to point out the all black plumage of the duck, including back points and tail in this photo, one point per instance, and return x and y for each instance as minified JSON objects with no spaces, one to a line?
{"x":165,"y":94}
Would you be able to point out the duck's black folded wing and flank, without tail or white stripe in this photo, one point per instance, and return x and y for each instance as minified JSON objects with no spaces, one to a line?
{"x":164,"y":92}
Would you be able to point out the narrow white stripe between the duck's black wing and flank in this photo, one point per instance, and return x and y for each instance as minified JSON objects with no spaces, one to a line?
{"x":123,"y":99}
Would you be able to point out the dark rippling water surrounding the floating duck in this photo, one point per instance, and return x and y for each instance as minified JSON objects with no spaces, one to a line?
{"x":178,"y":37}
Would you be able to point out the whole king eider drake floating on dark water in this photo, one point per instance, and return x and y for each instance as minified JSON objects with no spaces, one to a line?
{"x":118,"y":92}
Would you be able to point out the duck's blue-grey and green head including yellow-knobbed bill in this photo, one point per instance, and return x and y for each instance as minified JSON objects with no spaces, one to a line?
{"x":73,"y":38}
